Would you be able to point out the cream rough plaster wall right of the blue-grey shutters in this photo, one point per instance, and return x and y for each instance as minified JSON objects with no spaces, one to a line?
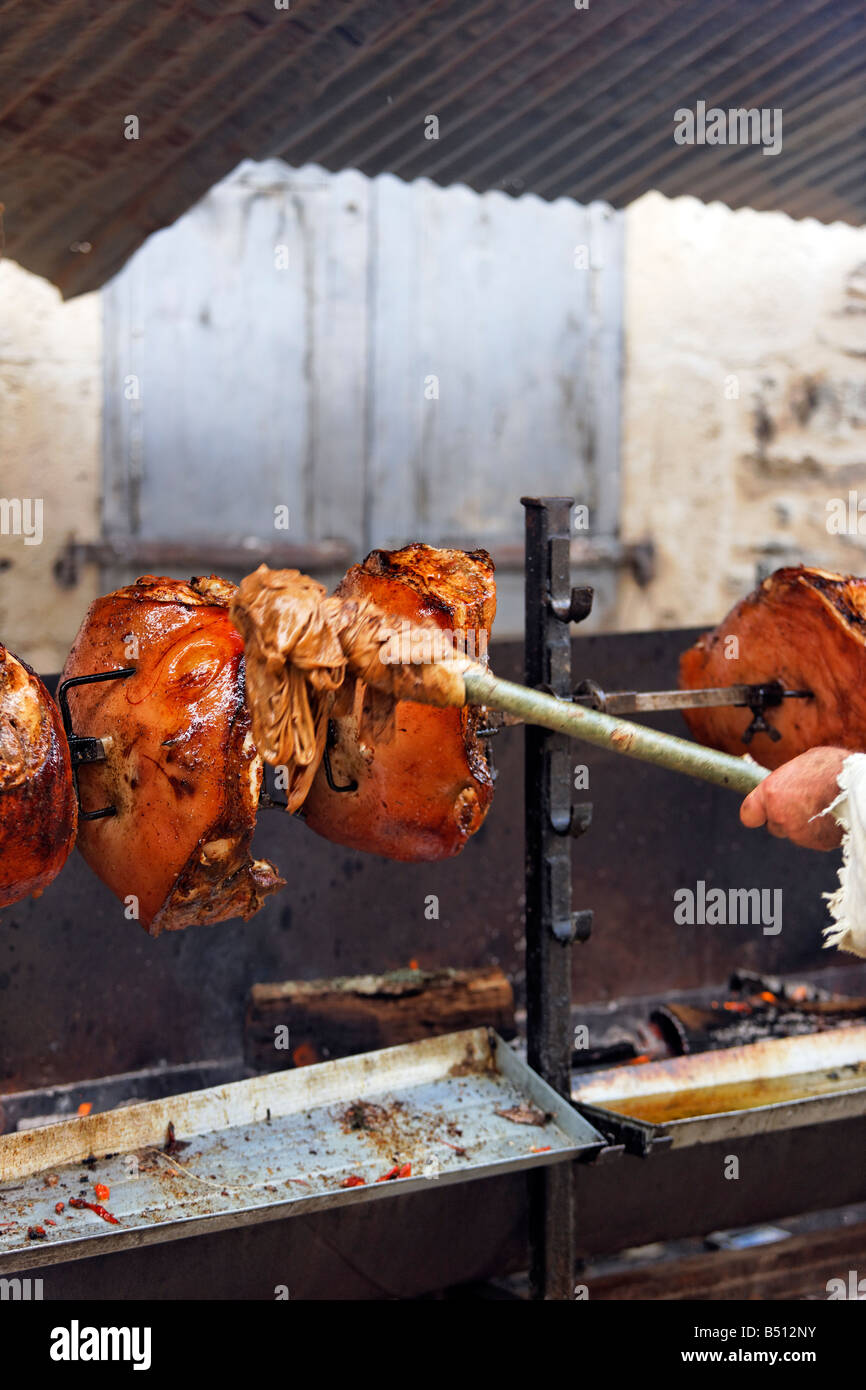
{"x":744,"y":401}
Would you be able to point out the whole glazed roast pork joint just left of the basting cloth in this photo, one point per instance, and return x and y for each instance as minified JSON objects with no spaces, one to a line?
{"x":183,"y":771}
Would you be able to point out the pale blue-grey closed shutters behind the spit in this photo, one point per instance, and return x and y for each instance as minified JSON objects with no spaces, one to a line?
{"x":380,"y":358}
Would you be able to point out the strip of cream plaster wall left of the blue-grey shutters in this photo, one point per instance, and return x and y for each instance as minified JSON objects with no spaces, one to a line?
{"x":51,"y":412}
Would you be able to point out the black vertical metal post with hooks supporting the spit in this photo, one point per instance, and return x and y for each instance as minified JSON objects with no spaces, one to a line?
{"x":551,"y":928}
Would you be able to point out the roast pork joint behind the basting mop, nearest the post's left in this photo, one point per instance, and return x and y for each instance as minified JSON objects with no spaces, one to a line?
{"x":425,"y":789}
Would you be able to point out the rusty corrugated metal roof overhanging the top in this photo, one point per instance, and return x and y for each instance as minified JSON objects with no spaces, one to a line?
{"x":530,"y":95}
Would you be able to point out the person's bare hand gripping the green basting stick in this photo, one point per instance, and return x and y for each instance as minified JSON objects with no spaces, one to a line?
{"x":786,"y":801}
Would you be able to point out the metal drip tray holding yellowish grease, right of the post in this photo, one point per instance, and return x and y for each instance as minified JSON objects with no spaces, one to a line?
{"x":775,"y":1085}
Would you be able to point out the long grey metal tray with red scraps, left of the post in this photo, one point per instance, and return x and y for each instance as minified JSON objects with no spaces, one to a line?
{"x":281,"y":1145}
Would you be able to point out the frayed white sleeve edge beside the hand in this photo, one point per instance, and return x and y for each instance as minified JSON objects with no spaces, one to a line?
{"x":849,"y":903}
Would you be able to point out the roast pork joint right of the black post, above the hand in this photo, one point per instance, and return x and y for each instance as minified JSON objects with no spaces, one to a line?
{"x":806,"y":629}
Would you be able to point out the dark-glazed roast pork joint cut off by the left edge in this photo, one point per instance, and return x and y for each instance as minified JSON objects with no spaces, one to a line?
{"x":38,"y":807}
